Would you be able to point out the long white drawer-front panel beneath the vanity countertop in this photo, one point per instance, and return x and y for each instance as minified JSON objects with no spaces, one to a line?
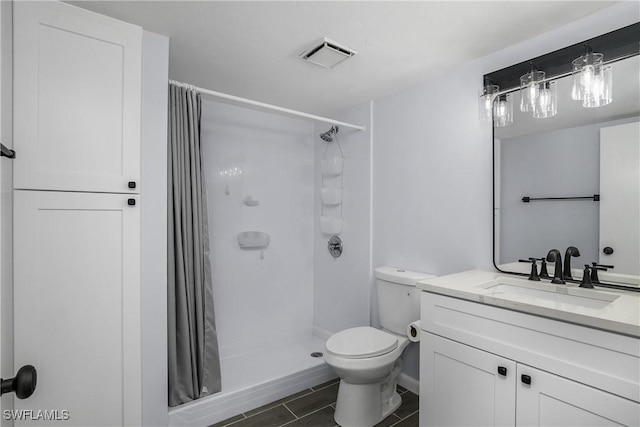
{"x":605,"y":360}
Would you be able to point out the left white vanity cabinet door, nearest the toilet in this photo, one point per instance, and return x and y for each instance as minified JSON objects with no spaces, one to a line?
{"x":463,"y":386}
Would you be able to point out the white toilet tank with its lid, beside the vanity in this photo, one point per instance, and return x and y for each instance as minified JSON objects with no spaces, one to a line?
{"x":398,"y":297}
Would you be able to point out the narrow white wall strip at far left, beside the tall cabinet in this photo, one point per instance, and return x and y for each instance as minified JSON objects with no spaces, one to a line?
{"x":6,"y":204}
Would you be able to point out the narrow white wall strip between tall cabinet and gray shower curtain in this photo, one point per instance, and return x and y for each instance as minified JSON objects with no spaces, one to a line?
{"x":155,"y":70}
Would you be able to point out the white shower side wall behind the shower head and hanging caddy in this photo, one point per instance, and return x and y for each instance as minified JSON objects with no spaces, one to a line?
{"x":342,"y":286}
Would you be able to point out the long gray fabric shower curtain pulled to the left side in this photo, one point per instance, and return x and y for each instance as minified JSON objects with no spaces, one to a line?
{"x":194,"y":363}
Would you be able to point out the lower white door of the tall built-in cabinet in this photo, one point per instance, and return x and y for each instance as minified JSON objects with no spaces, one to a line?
{"x":77,"y":304}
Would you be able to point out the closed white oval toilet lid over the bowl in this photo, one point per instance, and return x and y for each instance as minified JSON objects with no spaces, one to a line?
{"x":361,"y":342}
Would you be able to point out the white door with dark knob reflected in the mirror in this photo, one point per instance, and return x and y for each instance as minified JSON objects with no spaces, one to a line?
{"x":620,"y":197}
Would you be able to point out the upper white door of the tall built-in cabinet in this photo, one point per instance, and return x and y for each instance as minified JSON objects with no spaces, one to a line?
{"x":77,"y":85}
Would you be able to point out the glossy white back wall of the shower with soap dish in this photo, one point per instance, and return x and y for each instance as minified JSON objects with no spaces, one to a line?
{"x":260,"y":296}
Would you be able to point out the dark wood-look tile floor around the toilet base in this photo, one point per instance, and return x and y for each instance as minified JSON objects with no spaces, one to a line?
{"x":314,"y":407}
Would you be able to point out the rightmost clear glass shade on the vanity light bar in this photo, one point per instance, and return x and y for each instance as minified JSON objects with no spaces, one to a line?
{"x":592,"y":79}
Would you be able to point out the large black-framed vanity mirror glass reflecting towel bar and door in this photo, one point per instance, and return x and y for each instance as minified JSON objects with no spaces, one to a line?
{"x":580,"y":152}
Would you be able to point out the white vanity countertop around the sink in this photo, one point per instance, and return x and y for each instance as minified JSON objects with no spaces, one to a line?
{"x":622,"y":315}
